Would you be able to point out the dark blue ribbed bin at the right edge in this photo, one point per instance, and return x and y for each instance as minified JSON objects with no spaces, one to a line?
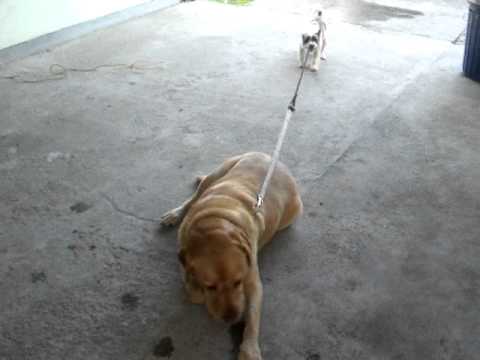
{"x":471,"y":60}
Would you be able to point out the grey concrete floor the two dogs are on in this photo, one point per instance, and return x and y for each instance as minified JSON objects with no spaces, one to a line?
{"x":384,"y":263}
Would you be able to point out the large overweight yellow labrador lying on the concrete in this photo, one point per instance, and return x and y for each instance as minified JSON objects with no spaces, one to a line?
{"x":221,"y":234}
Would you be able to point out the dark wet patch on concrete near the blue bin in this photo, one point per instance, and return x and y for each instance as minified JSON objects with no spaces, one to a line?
{"x":365,"y":11}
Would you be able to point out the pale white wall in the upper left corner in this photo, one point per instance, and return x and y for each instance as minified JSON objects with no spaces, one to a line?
{"x":22,"y":20}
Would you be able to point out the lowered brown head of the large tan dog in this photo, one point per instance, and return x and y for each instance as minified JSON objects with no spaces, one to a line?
{"x":219,"y":266}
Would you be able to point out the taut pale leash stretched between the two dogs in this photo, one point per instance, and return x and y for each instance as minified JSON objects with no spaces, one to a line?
{"x":281,"y":138}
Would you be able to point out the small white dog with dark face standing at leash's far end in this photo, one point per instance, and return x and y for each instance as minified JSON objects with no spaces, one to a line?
{"x":314,"y":45}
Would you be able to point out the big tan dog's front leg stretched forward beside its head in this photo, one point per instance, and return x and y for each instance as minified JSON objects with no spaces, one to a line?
{"x":249,"y":349}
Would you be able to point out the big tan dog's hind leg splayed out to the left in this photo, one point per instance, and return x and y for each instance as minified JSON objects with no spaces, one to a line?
{"x":174,"y":216}
